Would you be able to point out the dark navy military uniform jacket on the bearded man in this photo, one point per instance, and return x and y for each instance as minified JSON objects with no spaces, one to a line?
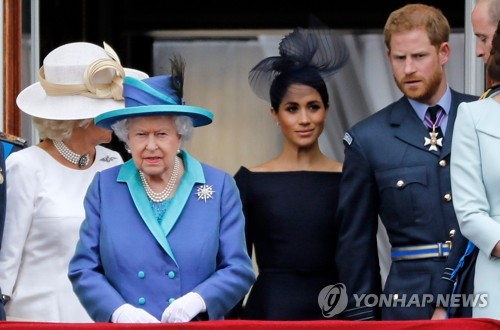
{"x":388,"y":172}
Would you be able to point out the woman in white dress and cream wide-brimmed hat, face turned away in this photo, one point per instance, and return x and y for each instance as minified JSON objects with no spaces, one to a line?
{"x":48,"y":181}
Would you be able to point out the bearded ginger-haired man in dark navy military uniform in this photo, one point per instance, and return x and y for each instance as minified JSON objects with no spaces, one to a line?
{"x":396,"y":166}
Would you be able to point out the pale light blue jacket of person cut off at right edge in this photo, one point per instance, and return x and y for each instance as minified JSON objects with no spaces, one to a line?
{"x":475,"y":181}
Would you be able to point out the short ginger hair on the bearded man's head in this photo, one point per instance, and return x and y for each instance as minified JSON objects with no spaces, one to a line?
{"x":416,"y":16}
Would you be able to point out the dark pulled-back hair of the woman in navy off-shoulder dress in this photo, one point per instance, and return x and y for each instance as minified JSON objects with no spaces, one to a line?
{"x":307,"y":76}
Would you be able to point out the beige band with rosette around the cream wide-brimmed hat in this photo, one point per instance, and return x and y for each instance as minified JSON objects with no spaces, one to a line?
{"x":113,"y":90}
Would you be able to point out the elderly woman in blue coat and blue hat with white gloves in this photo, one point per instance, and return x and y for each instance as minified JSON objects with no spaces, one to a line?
{"x":163,"y":237}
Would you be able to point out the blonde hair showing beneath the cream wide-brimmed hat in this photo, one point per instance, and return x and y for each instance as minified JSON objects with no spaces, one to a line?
{"x":58,"y":129}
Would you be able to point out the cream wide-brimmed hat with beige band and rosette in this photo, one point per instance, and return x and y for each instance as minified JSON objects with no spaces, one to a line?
{"x":78,"y":80}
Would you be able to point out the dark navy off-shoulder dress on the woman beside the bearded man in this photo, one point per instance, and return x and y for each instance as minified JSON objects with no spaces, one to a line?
{"x":290,"y":222}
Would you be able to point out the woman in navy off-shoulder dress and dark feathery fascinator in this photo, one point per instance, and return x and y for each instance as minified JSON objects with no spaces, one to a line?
{"x":290,"y":201}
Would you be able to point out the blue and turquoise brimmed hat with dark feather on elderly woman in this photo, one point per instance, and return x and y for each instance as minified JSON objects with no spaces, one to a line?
{"x":156,"y":96}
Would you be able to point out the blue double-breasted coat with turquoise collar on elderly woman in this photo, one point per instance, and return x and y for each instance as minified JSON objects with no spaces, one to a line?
{"x":125,"y":256}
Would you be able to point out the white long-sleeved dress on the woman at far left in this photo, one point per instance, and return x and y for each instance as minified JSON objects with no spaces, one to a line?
{"x":44,"y":213}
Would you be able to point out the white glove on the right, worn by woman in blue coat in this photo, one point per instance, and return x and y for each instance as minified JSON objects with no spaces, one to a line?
{"x":184,"y":308}
